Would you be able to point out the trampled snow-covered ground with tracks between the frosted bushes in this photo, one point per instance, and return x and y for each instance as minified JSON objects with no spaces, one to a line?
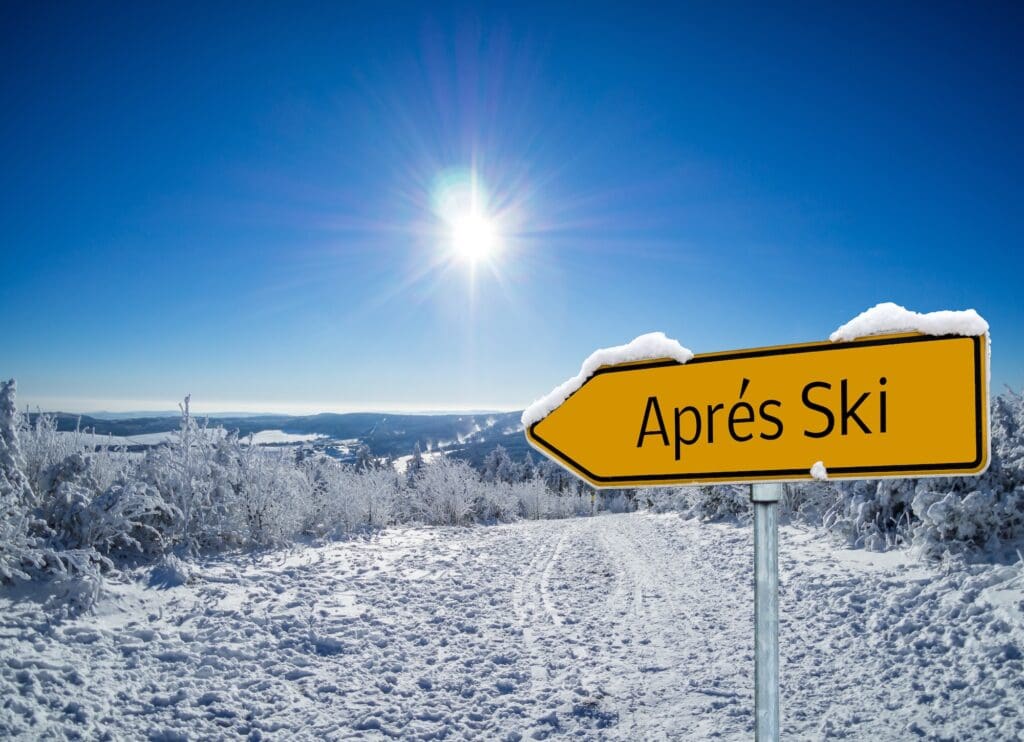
{"x":611,"y":628}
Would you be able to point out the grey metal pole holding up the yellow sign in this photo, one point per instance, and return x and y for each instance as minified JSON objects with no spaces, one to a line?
{"x":765,"y":499}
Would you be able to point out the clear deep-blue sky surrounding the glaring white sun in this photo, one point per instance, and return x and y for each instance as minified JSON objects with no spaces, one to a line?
{"x":243,"y":205}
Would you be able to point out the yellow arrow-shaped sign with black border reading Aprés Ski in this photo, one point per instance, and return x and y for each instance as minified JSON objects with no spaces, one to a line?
{"x":898,"y":406}
